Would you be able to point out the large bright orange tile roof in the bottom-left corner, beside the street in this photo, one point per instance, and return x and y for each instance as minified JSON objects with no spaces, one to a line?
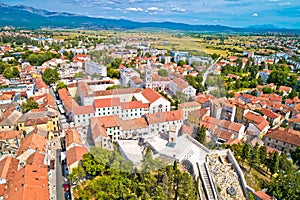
{"x":30,"y":182}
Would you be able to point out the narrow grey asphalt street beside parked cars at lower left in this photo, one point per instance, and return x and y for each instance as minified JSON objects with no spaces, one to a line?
{"x":59,"y":178}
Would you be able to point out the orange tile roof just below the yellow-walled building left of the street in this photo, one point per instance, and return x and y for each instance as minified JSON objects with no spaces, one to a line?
{"x":33,"y":141}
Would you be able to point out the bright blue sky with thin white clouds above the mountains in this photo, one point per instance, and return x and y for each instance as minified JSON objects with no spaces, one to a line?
{"x":236,"y":13}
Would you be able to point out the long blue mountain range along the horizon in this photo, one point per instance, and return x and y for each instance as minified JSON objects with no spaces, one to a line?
{"x":31,"y":18}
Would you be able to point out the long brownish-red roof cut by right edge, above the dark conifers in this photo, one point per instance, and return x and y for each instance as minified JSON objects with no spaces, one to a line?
{"x":286,"y":135}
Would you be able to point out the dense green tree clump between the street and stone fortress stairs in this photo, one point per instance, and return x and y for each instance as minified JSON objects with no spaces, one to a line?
{"x":113,"y":177}
